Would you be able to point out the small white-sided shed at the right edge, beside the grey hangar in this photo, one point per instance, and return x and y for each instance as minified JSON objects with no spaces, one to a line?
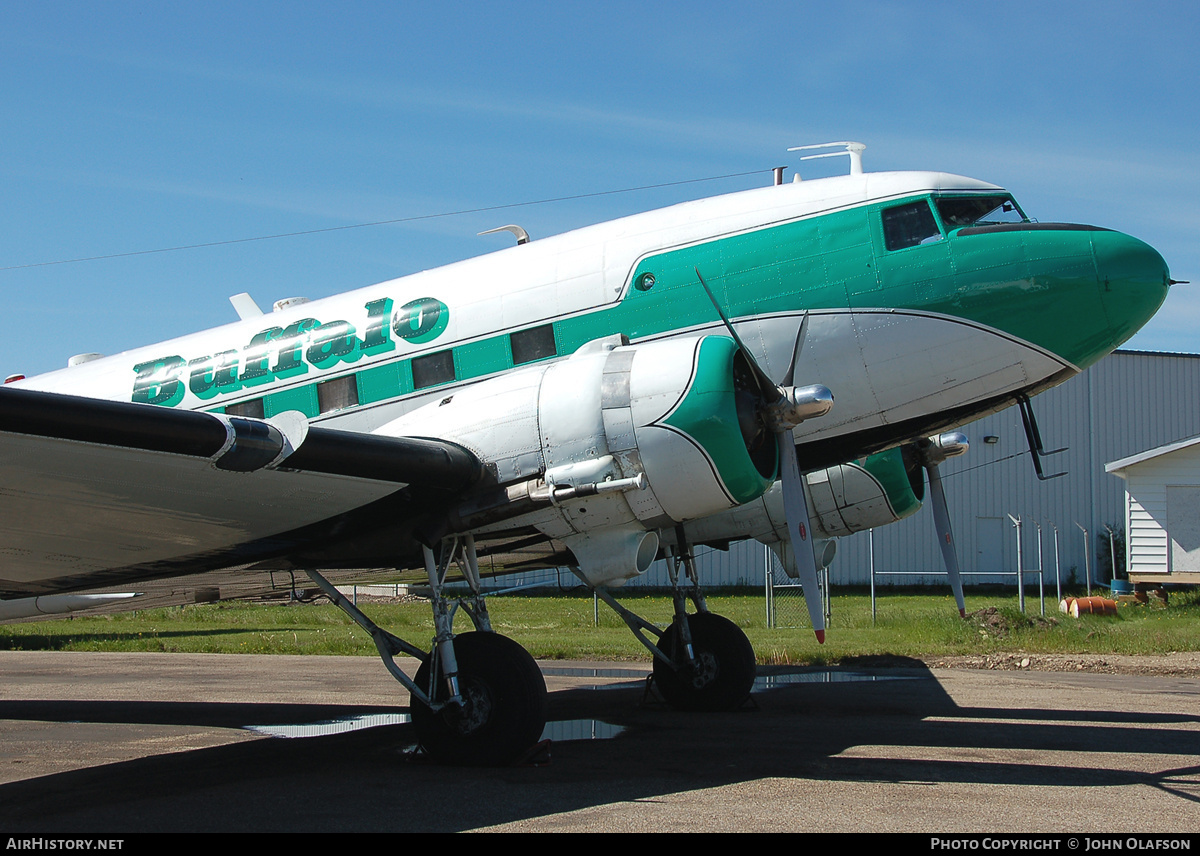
{"x":1162,"y":512}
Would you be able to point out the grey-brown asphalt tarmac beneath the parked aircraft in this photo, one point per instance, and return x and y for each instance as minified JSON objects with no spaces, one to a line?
{"x":184,"y":743}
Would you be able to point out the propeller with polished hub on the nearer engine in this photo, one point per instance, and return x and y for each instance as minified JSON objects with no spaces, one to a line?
{"x":782,"y":409}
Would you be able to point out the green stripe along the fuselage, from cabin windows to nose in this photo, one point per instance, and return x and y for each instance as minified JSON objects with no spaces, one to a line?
{"x":831,"y":262}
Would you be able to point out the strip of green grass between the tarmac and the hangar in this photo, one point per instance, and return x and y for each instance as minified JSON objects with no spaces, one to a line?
{"x":562,"y":627}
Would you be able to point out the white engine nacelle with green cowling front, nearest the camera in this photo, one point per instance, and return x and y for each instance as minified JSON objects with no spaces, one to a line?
{"x":614,"y":442}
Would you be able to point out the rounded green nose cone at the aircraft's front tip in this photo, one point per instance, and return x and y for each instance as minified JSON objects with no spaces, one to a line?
{"x":1133,"y":278}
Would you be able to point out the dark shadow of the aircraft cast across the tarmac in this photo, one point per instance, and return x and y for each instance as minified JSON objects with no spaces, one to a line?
{"x":369,"y":780}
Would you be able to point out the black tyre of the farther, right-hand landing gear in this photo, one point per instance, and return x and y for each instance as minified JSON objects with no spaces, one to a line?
{"x":725,"y":667}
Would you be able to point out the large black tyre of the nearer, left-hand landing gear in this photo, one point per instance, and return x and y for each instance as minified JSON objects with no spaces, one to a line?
{"x":505,"y":704}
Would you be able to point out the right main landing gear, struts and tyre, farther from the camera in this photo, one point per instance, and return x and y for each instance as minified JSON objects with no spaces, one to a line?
{"x":703,"y":662}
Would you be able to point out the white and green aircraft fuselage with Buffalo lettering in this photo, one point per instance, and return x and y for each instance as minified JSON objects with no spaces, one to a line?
{"x":913,"y":304}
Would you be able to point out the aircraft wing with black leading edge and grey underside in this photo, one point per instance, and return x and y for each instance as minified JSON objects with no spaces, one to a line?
{"x":99,"y":494}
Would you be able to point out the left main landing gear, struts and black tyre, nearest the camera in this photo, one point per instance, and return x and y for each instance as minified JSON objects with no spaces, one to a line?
{"x":478,"y":698}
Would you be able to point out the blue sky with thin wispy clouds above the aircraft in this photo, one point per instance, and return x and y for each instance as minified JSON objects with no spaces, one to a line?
{"x":139,"y":127}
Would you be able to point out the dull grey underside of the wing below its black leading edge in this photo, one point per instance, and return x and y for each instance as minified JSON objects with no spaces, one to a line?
{"x":73,"y":508}
